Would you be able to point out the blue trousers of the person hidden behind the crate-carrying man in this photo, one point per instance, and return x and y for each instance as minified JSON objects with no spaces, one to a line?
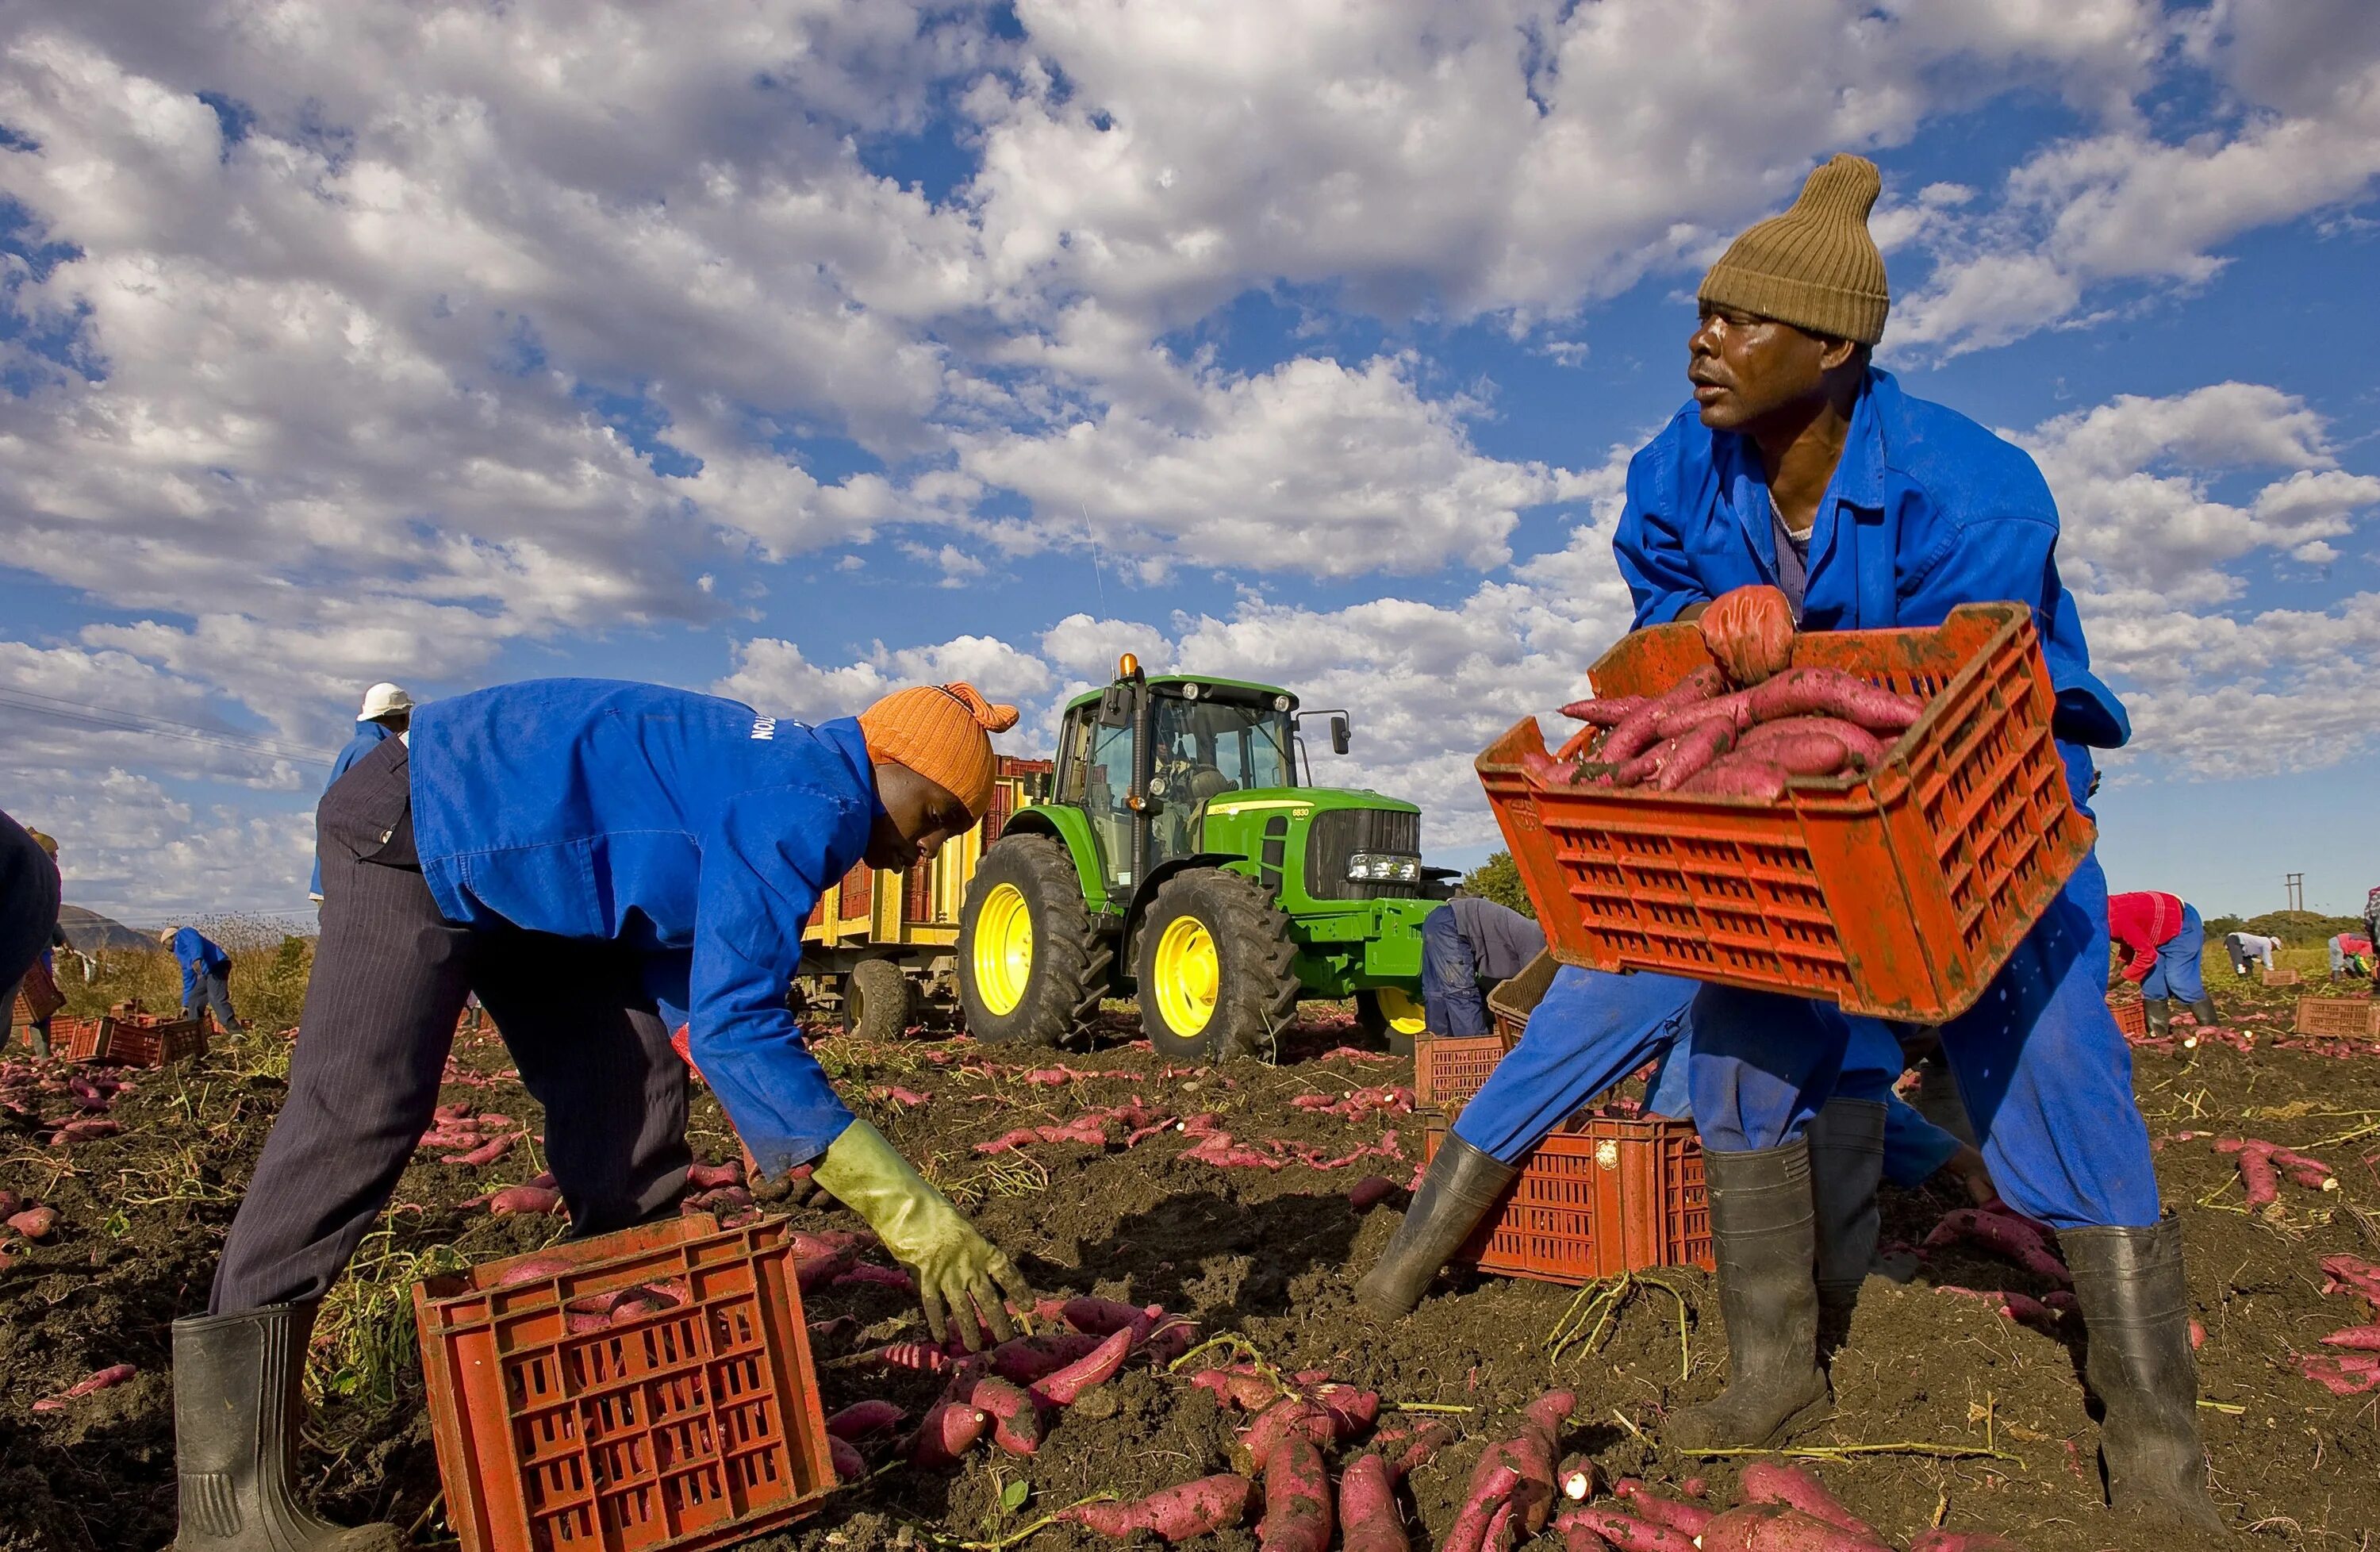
{"x":1596,"y":1030}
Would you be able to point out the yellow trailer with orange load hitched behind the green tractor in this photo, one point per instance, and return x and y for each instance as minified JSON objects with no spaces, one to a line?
{"x":882,"y":949}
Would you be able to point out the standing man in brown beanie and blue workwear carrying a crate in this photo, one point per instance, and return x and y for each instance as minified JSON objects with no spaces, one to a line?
{"x":1805,"y":468}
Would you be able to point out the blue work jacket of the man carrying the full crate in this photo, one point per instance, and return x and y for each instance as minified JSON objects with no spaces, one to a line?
{"x":1927,"y":513}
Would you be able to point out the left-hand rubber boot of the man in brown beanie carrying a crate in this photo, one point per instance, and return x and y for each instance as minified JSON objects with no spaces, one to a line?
{"x":1765,"y":1241}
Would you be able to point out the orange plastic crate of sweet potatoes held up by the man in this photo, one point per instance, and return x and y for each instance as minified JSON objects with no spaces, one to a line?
{"x":1898,"y":894}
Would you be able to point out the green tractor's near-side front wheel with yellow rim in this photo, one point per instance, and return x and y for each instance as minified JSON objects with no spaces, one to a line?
{"x":1253,"y":972}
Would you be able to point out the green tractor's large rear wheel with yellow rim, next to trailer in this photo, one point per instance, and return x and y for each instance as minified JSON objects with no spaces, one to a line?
{"x":1070,"y":963}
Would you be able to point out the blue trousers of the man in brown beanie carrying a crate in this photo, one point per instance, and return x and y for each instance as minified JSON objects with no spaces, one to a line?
{"x":2041,"y":1065}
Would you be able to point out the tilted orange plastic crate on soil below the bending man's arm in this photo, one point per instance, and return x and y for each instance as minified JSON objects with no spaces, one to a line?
{"x":679,"y":1429}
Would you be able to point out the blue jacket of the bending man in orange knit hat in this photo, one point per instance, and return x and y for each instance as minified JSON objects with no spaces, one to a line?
{"x":684,"y":827}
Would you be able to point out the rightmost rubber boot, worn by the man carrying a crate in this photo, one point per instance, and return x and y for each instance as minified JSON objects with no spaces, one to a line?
{"x":2136,"y":1310}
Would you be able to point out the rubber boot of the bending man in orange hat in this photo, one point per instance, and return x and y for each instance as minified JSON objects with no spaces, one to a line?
{"x":237,"y":1398}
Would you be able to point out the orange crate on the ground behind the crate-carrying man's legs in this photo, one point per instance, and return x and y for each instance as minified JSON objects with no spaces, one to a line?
{"x":1596,"y":1201}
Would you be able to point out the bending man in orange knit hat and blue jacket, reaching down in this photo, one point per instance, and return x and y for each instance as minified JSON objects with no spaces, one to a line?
{"x":599,"y":863}
